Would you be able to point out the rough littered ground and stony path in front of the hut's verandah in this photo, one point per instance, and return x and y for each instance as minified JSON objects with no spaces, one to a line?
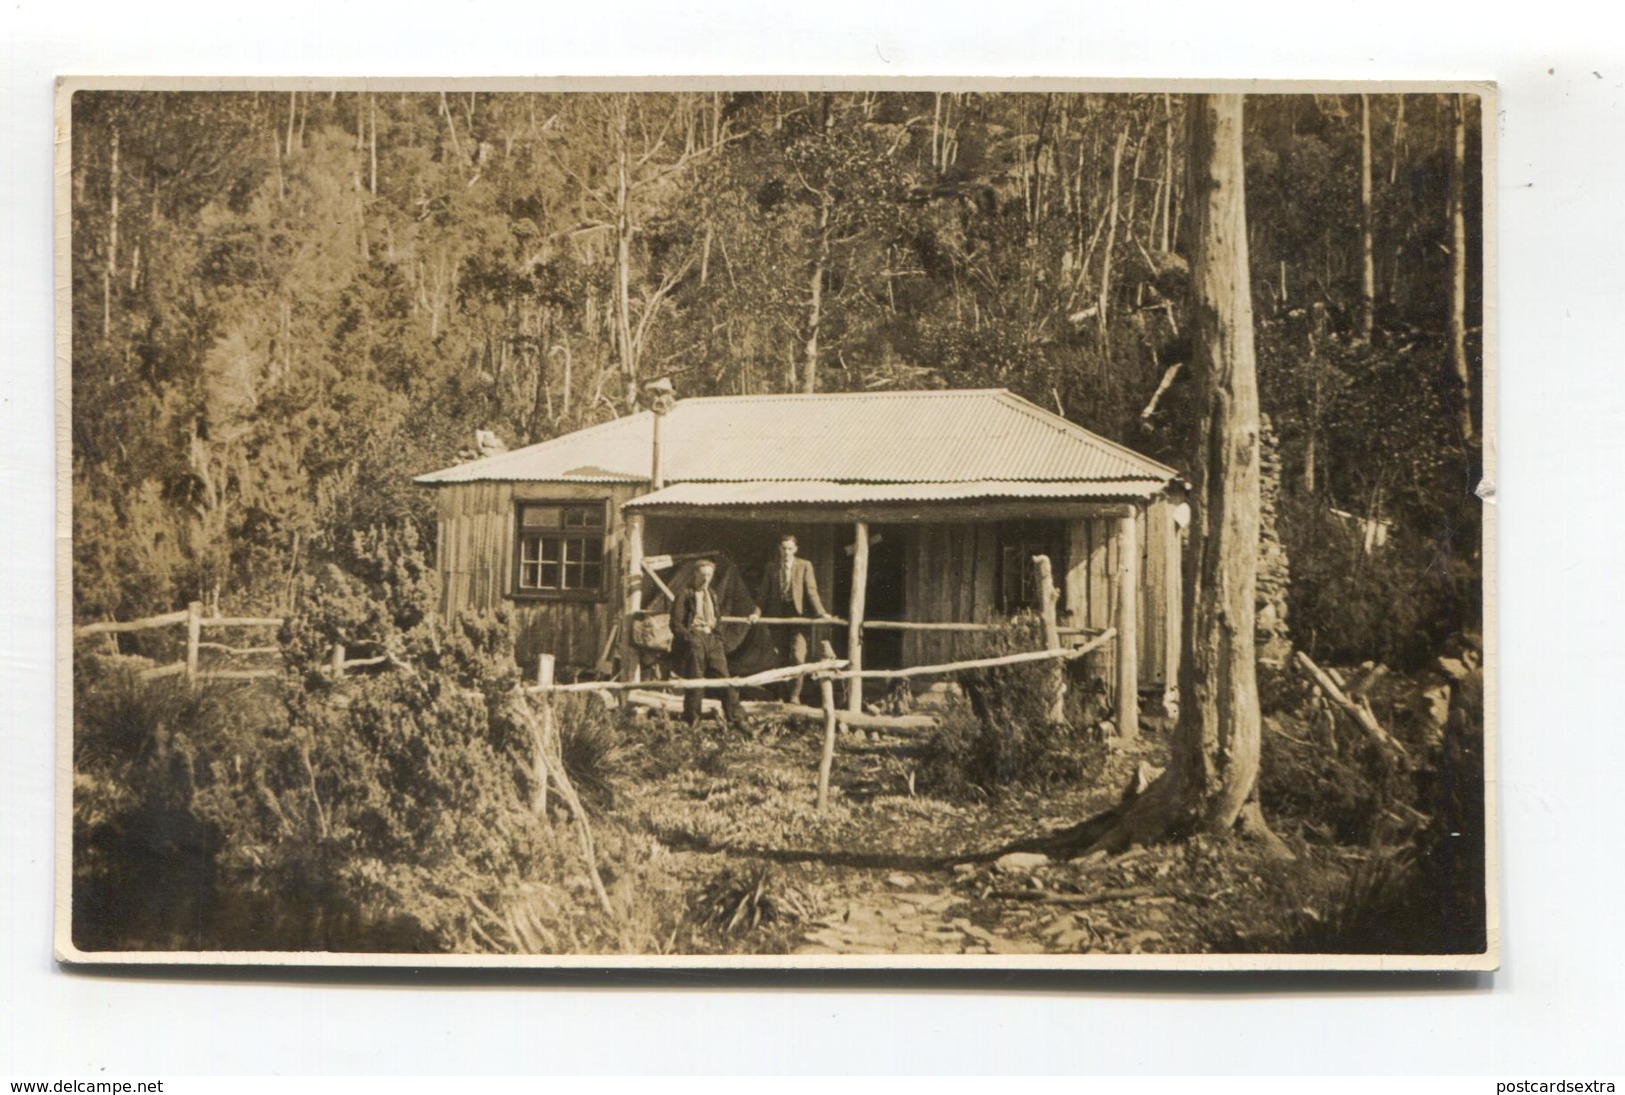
{"x":883,"y":870}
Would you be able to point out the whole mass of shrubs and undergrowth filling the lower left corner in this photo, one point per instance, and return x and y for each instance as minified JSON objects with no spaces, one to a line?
{"x":391,"y":812}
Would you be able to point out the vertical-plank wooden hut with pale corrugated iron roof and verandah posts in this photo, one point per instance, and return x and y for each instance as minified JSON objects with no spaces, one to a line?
{"x":916,"y":508}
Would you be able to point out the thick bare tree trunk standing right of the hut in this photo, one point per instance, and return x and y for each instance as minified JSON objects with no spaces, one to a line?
{"x":1215,"y":768}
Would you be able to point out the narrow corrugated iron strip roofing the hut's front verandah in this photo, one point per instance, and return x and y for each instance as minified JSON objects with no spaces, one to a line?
{"x":823,"y":493}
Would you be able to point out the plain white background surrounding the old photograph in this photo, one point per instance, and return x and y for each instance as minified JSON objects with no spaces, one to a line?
{"x":1554,"y":1008}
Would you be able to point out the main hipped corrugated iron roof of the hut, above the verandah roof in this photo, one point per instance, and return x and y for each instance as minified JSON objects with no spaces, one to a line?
{"x":956,"y":436}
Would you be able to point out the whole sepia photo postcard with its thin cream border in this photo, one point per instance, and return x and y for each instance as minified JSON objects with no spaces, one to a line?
{"x":776,"y":524}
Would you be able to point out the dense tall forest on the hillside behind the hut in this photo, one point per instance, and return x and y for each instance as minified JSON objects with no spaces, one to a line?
{"x":285,"y":306}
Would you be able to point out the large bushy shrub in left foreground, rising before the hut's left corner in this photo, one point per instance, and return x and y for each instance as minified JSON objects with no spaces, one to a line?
{"x":396,"y":805}
